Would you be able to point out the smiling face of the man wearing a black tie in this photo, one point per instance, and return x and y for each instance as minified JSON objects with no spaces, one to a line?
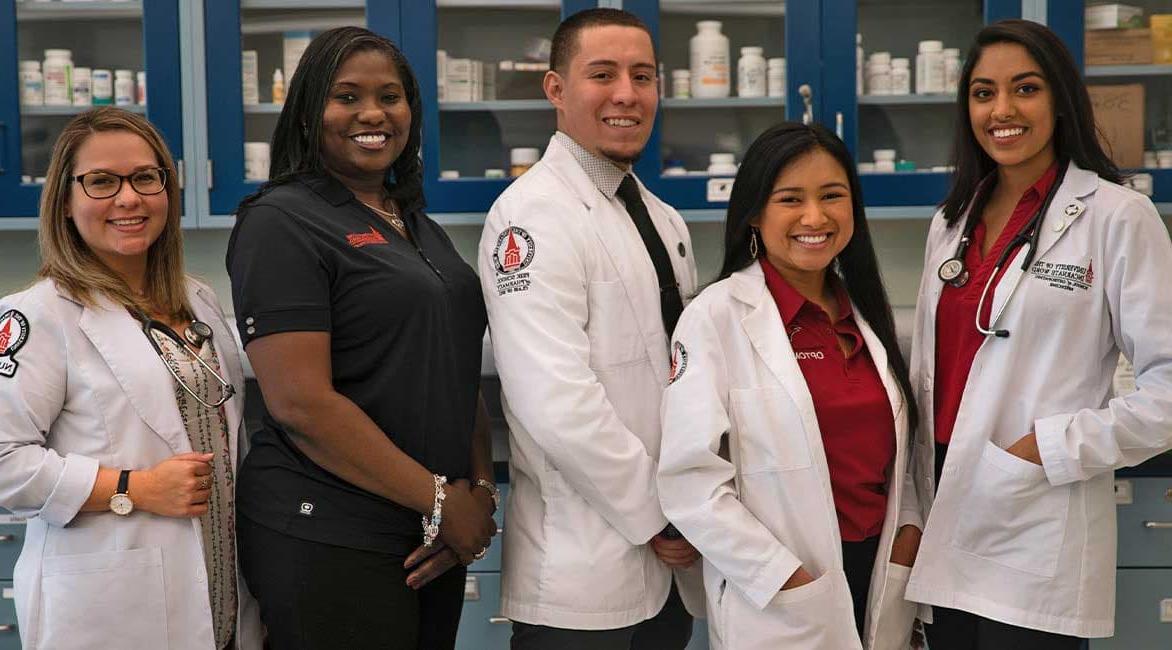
{"x":608,"y":95}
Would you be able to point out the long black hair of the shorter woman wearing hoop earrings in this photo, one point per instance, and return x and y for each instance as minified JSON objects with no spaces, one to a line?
{"x":768,"y":156}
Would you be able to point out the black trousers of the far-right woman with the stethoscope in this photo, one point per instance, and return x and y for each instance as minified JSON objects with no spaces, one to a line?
{"x":953,"y":630}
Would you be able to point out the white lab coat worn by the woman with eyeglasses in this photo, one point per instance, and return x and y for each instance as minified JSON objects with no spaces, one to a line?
{"x":91,"y":392}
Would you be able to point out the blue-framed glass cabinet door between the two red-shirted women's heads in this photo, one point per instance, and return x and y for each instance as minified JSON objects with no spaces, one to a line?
{"x":900,"y":60}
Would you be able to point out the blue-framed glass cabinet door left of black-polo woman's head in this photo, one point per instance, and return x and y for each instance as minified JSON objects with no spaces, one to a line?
{"x":249,"y":76}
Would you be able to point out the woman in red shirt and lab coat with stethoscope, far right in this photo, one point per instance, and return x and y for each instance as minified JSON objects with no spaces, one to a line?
{"x":1040,"y":271}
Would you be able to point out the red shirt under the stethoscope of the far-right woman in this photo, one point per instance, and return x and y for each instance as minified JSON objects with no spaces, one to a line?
{"x":957,"y":337}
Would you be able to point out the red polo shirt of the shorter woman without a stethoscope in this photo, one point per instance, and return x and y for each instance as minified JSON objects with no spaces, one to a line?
{"x":858,"y":429}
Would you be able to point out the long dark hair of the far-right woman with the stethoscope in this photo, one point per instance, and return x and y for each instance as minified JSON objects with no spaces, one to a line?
{"x":1075,"y":135}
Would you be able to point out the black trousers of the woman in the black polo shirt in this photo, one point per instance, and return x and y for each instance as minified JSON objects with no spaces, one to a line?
{"x":316,"y":596}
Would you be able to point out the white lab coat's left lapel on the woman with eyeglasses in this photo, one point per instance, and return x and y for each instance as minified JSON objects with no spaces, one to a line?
{"x":119,"y":339}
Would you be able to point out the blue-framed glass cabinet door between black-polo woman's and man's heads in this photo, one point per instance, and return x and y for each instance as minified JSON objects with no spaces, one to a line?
{"x":486,"y":115}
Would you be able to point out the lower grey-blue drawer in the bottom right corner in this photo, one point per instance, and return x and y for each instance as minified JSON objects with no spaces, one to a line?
{"x":1144,"y":597}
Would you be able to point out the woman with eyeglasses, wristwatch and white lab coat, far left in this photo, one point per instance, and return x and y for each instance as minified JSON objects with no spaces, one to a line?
{"x":121,"y":413}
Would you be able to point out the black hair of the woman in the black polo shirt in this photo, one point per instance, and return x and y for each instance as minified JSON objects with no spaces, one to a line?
{"x":297,"y":140}
